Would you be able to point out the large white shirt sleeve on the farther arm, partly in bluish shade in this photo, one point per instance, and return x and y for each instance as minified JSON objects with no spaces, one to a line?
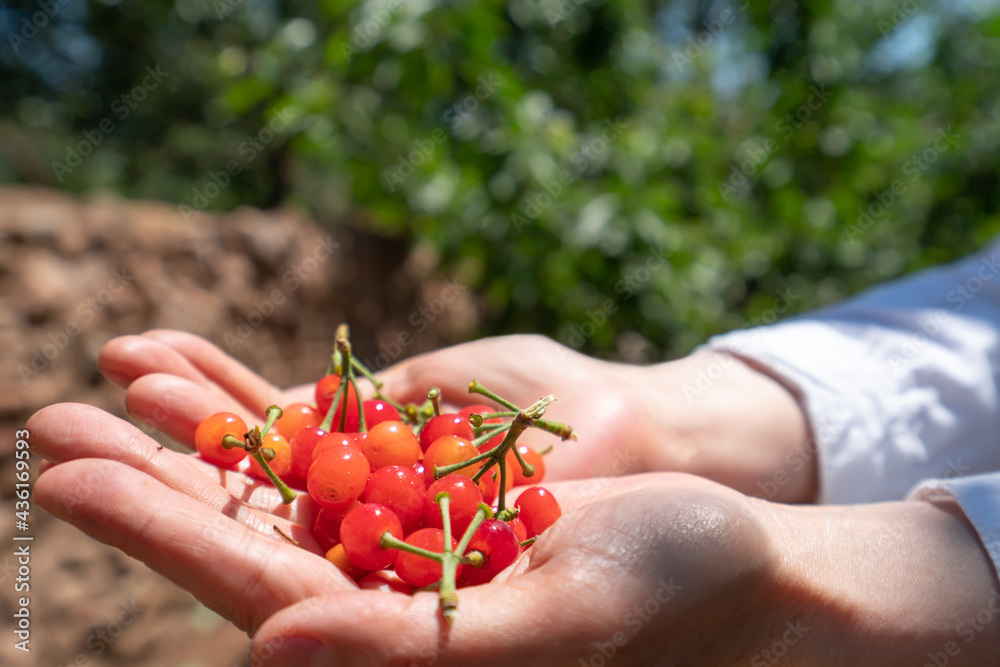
{"x":900,"y":384}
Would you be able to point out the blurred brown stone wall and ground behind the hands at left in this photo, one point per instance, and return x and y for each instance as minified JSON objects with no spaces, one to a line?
{"x":270,"y":287}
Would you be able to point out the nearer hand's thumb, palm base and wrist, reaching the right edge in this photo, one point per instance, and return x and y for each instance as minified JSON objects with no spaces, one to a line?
{"x":671,"y":569}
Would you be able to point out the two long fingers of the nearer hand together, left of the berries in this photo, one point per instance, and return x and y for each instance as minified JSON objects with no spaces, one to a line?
{"x":211,"y":531}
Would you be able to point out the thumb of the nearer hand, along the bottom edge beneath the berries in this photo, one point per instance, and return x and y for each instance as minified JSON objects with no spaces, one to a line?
{"x":497,"y":624}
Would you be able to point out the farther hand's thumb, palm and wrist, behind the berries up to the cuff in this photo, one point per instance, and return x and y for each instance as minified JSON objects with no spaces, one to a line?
{"x":707,"y":414}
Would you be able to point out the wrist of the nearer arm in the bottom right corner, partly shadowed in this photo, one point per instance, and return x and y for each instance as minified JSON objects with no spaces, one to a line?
{"x":903,"y":583}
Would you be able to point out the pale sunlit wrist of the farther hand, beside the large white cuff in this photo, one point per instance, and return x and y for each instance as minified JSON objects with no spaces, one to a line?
{"x":727,"y":419}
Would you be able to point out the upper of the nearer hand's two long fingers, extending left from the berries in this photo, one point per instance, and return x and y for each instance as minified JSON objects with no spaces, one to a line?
{"x":68,"y":432}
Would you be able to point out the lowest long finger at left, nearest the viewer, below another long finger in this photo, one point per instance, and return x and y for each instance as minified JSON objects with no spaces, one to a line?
{"x":231,"y":568}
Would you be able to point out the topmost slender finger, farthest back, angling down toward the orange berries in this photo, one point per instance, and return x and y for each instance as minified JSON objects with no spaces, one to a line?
{"x":243,"y":384}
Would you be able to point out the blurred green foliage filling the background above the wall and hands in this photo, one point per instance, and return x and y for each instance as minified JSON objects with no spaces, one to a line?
{"x":675,"y":167}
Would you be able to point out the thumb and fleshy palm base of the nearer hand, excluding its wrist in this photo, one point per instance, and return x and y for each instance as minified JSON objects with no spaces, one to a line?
{"x":648,"y":569}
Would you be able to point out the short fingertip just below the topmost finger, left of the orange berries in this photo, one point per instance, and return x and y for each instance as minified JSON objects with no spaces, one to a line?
{"x":126,"y":358}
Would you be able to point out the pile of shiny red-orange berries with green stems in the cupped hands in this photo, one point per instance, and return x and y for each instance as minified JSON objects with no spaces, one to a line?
{"x":411,"y":498}
